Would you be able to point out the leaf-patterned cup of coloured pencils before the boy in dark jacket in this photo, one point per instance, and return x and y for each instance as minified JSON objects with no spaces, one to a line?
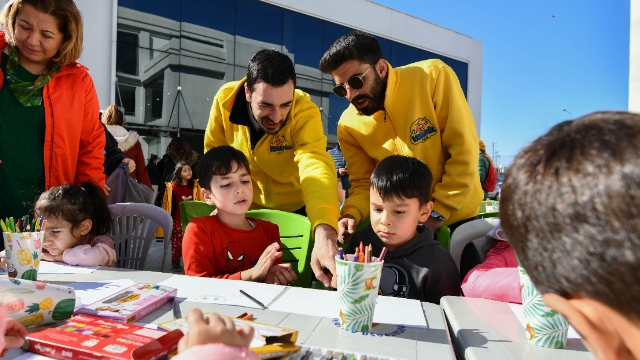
{"x":357,"y":292}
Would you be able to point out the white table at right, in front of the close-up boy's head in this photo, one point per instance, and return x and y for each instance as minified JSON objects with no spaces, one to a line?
{"x":487,"y":329}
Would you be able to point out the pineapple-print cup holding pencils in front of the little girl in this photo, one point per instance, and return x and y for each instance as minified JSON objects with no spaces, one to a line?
{"x":23,"y":252}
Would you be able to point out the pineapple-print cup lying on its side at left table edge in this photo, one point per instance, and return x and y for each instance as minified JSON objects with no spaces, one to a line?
{"x":36,"y":303}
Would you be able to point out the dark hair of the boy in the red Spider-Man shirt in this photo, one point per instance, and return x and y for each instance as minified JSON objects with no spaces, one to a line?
{"x":220,"y":161}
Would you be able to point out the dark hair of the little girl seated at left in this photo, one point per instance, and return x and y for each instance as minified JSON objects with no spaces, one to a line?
{"x":76,"y":204}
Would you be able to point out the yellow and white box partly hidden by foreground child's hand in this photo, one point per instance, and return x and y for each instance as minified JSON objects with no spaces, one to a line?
{"x":268,"y":341}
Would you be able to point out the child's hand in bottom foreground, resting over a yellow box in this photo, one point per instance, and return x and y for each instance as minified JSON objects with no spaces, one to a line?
{"x":213,"y":329}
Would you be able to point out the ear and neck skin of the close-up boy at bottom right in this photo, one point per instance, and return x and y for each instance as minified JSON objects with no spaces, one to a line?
{"x":605,"y":332}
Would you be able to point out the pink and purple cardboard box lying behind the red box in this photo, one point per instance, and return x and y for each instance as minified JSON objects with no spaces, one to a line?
{"x":131,"y":304}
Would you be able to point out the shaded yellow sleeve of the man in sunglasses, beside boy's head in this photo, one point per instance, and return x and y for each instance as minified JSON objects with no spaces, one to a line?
{"x":360,"y":167}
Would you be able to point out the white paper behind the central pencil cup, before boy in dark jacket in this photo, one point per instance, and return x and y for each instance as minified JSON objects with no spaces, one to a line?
{"x":389,"y":310}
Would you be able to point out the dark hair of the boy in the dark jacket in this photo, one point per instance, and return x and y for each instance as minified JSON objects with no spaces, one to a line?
{"x":400,"y":177}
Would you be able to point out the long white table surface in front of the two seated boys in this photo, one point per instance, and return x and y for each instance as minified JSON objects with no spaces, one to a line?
{"x":413,"y":343}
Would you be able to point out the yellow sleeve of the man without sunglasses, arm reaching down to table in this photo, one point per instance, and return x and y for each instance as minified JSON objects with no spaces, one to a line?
{"x":315,"y":165}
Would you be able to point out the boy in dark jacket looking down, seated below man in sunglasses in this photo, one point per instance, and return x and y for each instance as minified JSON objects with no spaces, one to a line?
{"x":416,"y":266}
